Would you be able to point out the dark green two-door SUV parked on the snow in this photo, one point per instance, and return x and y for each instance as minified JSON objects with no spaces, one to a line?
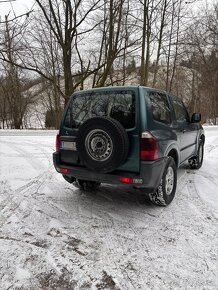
{"x":135,"y":136}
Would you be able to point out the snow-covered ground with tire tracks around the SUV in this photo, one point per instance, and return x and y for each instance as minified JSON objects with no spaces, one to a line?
{"x":55,"y":236}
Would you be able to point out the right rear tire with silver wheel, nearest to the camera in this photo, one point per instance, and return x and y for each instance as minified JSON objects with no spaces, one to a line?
{"x":167,"y":187}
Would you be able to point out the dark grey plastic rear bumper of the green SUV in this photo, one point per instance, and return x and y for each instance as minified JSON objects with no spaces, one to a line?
{"x":150,"y":173}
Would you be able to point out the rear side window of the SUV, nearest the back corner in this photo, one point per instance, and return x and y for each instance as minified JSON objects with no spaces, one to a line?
{"x":159,"y":107}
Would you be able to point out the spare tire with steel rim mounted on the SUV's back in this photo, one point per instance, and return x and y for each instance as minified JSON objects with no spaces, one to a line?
{"x":102,"y":144}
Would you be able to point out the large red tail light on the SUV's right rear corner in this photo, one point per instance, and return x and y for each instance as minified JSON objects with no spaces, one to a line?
{"x":149,"y":146}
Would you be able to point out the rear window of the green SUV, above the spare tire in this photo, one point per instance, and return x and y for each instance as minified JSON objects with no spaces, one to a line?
{"x":119,"y":105}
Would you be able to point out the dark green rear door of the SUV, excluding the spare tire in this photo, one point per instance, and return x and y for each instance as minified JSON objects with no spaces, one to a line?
{"x":119,"y":104}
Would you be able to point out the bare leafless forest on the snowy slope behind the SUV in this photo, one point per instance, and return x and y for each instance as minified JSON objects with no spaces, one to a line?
{"x":61,"y":46}
